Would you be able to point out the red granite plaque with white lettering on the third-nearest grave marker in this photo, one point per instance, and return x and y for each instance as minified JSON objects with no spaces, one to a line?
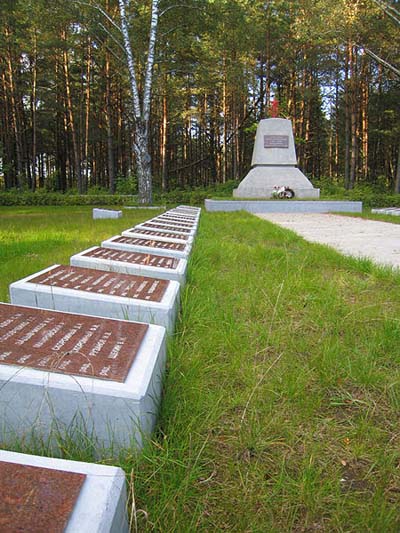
{"x":96,"y":281}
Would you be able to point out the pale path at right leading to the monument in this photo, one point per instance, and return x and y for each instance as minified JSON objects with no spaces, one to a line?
{"x":379,"y":241}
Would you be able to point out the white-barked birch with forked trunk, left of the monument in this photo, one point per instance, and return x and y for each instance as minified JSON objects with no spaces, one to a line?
{"x":141,"y":104}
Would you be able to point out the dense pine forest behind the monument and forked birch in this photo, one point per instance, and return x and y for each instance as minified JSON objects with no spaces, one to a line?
{"x":66,"y":117}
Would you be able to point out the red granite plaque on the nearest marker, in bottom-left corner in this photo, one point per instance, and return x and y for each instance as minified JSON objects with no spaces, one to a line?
{"x":35,"y":499}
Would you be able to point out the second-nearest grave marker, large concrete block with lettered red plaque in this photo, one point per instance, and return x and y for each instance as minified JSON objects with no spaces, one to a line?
{"x":69,"y":376}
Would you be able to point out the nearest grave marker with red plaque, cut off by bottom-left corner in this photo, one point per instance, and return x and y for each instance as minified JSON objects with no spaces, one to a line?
{"x":61,"y":495}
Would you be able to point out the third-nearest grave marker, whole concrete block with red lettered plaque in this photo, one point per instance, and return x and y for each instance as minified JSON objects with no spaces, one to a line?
{"x":94,"y":292}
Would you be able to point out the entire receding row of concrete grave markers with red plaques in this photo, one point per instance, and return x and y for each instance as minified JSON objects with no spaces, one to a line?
{"x":82,"y":354}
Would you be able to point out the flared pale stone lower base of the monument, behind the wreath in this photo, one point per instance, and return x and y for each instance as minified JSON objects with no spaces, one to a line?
{"x":261,"y":180}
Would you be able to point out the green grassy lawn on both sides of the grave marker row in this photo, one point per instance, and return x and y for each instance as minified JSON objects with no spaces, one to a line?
{"x":282,"y":395}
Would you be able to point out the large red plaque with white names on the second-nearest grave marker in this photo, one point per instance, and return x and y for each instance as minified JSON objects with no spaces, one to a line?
{"x":68,"y":343}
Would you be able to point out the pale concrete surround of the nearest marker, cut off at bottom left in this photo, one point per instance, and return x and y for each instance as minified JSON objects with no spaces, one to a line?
{"x":101,"y":503}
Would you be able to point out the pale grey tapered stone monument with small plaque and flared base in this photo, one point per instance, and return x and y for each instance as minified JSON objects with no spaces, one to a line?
{"x":274,"y":164}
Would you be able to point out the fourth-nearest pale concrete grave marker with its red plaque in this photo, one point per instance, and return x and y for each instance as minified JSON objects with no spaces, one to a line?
{"x":153,"y":266}
